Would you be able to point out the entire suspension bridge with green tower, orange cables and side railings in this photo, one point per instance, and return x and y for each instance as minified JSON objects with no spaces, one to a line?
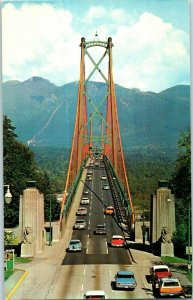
{"x":97,"y":135}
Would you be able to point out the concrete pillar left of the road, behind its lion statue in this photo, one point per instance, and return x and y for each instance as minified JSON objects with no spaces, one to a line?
{"x":32,"y":215}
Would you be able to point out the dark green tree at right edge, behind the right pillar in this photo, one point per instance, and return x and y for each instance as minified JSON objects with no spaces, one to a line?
{"x":181,"y":187}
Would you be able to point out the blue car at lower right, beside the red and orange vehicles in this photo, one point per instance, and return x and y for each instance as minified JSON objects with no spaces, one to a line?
{"x":125,"y":280}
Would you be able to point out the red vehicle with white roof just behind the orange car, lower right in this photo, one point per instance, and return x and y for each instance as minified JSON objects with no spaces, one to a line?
{"x":158,"y":272}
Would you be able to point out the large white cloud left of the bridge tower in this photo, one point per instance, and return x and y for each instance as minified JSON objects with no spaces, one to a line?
{"x":38,"y":40}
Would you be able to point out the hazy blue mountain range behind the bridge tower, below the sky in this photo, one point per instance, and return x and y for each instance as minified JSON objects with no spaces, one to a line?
{"x":44,"y":113}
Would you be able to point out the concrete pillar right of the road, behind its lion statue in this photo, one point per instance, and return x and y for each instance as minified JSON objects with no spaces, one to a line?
{"x":163,"y":211}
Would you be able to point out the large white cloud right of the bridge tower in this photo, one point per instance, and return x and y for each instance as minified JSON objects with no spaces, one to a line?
{"x":154,"y":54}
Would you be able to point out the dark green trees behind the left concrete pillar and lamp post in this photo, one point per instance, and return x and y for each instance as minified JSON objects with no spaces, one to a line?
{"x":19,"y":167}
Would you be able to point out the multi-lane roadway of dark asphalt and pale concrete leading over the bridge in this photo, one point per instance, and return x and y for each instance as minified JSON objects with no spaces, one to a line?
{"x":57,"y":274}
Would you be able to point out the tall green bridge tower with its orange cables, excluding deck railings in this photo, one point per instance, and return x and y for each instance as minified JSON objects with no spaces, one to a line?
{"x":98,"y":134}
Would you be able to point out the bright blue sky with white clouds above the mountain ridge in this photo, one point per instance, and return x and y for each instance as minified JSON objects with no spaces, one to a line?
{"x":151,"y":40}
